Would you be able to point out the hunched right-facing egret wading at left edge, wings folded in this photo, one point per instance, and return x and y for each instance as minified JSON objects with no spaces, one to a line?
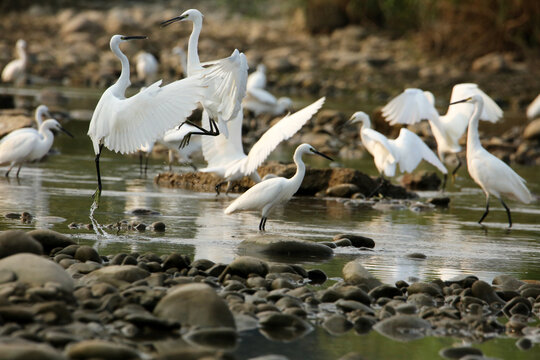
{"x":26,"y":145}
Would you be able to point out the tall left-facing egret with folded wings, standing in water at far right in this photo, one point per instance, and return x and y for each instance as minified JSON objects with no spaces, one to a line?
{"x":489,"y":172}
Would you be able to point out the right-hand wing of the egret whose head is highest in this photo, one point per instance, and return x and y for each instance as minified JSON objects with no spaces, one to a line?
{"x":227,"y":78}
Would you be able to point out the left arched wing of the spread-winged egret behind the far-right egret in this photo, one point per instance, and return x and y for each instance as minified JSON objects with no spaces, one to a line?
{"x":410,"y":107}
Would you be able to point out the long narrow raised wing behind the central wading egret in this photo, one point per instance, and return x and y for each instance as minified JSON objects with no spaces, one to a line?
{"x":283,"y":130}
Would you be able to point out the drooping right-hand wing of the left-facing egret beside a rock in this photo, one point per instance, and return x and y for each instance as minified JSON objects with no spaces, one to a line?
{"x":412,"y":150}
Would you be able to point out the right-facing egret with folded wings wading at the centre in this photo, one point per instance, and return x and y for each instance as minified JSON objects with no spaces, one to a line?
{"x":265,"y":195}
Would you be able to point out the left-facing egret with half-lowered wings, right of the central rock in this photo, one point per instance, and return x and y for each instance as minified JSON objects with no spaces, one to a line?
{"x":407,"y":150}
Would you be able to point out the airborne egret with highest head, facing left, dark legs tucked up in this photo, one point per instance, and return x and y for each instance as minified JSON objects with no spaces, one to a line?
{"x":225,"y":78}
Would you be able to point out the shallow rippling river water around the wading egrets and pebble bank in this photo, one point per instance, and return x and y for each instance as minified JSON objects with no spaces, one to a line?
{"x":58,"y":192}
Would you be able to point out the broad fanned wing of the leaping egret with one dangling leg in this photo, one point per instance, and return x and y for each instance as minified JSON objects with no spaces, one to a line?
{"x":146,"y":116}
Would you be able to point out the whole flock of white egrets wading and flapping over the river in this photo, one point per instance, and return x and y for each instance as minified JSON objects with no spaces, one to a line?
{"x":223,"y":89}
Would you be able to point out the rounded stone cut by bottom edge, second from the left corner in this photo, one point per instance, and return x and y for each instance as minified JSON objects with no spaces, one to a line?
{"x":101,"y":349}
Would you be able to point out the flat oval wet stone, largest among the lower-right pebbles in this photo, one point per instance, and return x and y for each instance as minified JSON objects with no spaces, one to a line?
{"x":403,"y":327}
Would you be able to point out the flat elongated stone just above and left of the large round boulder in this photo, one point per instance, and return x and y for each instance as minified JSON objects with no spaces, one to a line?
{"x":117,"y":275}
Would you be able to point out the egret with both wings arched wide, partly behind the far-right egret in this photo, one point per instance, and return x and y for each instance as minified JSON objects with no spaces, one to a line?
{"x":414,"y":105}
